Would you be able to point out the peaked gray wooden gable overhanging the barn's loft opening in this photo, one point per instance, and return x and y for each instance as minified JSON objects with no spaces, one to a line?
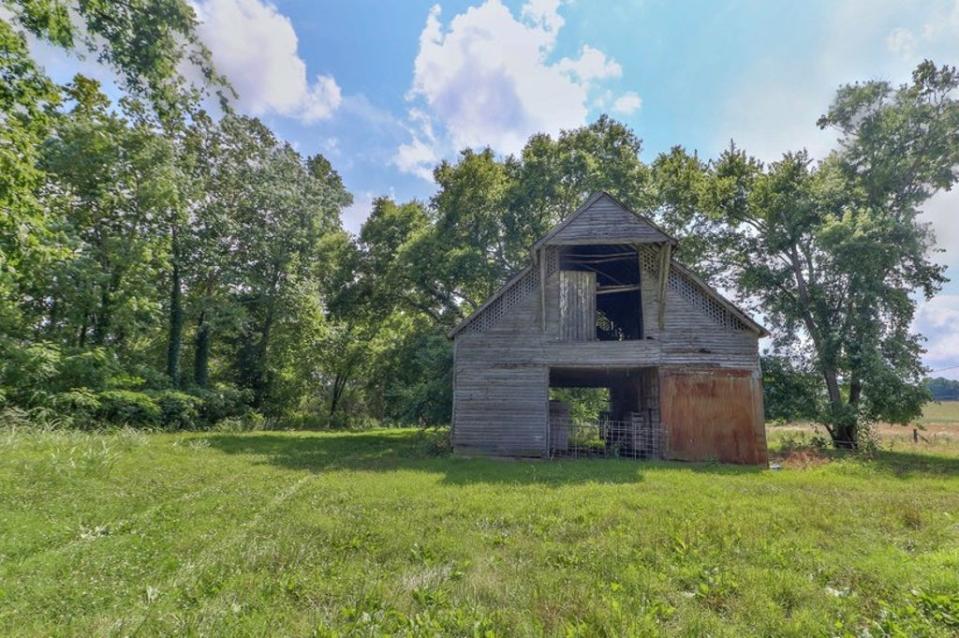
{"x":604,"y":219}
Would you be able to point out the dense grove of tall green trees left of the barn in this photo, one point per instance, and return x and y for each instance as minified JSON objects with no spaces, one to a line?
{"x":173,"y":275}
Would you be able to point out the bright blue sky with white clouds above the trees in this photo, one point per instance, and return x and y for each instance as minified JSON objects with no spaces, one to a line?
{"x":385,"y":88}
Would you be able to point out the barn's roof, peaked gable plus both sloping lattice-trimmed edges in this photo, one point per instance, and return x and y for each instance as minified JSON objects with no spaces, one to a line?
{"x":620,"y":226}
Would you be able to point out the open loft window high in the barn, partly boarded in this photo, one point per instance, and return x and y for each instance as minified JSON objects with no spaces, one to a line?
{"x":600,"y":293}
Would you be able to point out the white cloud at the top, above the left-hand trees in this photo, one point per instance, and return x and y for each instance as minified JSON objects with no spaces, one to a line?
{"x":255,"y":47}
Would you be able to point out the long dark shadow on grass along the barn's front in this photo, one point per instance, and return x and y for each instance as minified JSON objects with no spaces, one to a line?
{"x":406,"y":450}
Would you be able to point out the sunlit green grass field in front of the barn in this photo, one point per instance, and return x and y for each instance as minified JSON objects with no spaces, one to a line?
{"x":372,"y":533}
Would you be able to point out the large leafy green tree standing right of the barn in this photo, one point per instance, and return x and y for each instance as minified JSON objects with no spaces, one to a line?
{"x":834,"y":253}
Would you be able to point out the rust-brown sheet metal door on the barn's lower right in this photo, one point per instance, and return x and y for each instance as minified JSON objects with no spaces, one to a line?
{"x":713,"y":415}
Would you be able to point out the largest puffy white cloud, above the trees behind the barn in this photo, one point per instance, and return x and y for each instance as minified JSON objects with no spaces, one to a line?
{"x":485,"y":79}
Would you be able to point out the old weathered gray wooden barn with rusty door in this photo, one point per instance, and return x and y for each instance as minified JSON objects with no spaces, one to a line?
{"x":605,"y":304}
